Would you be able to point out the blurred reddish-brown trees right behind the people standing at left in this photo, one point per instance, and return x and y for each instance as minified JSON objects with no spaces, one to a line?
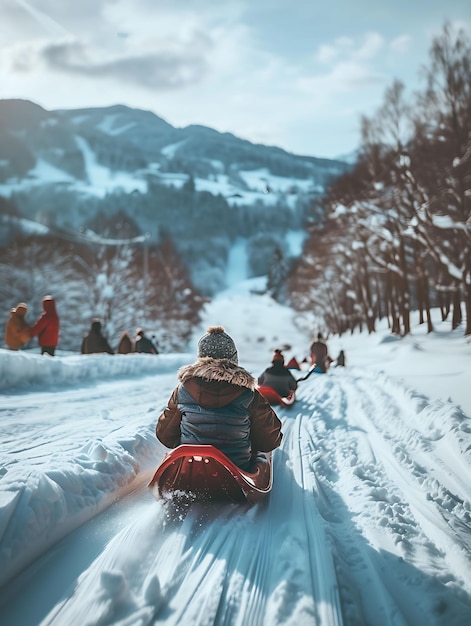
{"x":125,"y":285}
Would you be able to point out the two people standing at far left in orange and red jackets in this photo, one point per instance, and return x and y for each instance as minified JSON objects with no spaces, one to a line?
{"x":46,"y":328}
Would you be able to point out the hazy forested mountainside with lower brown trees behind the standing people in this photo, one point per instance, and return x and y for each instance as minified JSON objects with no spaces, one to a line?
{"x":114,"y":210}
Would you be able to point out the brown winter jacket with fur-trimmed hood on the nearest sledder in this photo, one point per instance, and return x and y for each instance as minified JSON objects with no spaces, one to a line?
{"x":214,"y":384}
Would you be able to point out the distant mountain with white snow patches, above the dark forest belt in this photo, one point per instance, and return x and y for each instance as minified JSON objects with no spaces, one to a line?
{"x":98,"y":150}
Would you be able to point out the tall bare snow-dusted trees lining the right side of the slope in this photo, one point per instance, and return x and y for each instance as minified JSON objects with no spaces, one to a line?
{"x":396,"y":233}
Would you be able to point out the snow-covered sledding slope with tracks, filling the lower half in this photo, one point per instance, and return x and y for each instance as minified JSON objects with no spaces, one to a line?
{"x":368,"y":523}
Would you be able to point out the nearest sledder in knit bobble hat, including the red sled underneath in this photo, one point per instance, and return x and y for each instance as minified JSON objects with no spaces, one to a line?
{"x":221,"y":428}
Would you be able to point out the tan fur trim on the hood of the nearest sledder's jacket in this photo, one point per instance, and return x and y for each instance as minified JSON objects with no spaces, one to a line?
{"x":221,"y":370}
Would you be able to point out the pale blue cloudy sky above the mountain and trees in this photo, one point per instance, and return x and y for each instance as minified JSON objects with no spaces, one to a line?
{"x":296,"y":74}
